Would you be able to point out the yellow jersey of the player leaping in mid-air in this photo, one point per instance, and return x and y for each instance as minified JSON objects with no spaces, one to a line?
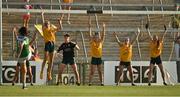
{"x":49,"y":34}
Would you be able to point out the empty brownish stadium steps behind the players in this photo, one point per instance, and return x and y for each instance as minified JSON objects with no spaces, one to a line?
{"x":111,"y":48}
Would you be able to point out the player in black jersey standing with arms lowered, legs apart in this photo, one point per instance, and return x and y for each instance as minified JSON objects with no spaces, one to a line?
{"x":68,"y":58}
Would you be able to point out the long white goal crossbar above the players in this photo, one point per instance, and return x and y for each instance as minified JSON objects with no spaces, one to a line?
{"x":126,"y":12}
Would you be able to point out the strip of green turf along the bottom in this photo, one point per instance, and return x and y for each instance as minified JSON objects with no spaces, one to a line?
{"x":91,"y":91}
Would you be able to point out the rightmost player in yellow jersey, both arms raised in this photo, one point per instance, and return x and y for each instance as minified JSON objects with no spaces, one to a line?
{"x":156,"y":46}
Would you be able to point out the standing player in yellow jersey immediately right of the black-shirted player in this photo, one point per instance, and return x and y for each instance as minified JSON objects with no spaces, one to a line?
{"x":96,"y":42}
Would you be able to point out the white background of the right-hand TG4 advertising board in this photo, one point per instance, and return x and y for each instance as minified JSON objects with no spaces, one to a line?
{"x":109,"y":71}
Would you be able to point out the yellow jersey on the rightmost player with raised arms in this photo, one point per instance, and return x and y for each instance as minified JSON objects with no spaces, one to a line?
{"x":155,"y":51}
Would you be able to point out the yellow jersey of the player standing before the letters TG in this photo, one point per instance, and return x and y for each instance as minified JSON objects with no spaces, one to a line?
{"x":126,"y":53}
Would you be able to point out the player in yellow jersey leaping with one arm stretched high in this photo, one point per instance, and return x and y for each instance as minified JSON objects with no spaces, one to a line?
{"x":49,"y":39}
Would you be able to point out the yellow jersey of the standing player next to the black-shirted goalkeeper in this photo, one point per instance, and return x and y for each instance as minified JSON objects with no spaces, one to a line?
{"x":96,"y":49}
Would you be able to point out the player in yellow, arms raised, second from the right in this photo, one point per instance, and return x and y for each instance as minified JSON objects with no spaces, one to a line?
{"x":126,"y":56}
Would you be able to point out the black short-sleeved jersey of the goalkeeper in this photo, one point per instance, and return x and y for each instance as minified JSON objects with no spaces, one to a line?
{"x":68,"y":50}
